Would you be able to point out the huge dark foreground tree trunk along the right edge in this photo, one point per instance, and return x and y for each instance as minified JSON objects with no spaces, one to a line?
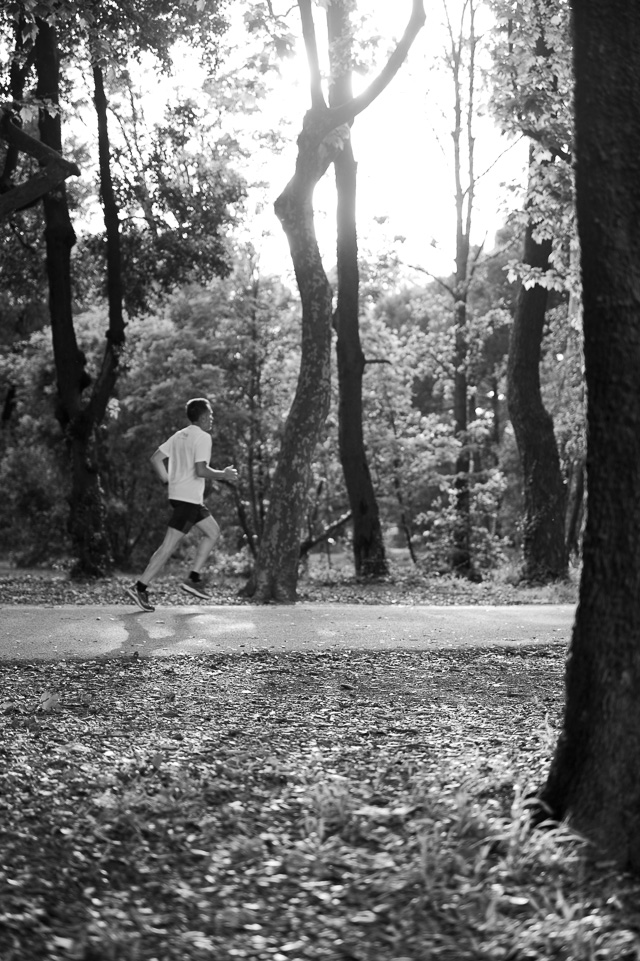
{"x":595,"y":775}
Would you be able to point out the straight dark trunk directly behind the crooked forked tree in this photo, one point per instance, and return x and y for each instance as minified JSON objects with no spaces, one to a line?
{"x":368,"y":543}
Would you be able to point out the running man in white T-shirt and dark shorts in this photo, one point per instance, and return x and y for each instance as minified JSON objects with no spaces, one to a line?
{"x":182,"y":462}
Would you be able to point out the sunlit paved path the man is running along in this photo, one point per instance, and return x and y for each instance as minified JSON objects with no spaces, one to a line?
{"x":55,"y":633}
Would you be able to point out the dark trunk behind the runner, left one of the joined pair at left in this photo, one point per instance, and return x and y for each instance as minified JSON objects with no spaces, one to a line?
{"x":87,"y":513}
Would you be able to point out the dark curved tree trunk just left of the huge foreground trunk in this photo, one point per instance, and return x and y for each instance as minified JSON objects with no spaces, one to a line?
{"x":545,"y":555}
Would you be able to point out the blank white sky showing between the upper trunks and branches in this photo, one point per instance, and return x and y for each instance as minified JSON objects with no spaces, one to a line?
{"x":402,"y":144}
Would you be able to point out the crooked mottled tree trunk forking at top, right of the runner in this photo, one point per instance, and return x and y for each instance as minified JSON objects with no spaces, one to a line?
{"x":276,"y":573}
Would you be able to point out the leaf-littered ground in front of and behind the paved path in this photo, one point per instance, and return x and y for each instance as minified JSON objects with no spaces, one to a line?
{"x":332,"y":805}
